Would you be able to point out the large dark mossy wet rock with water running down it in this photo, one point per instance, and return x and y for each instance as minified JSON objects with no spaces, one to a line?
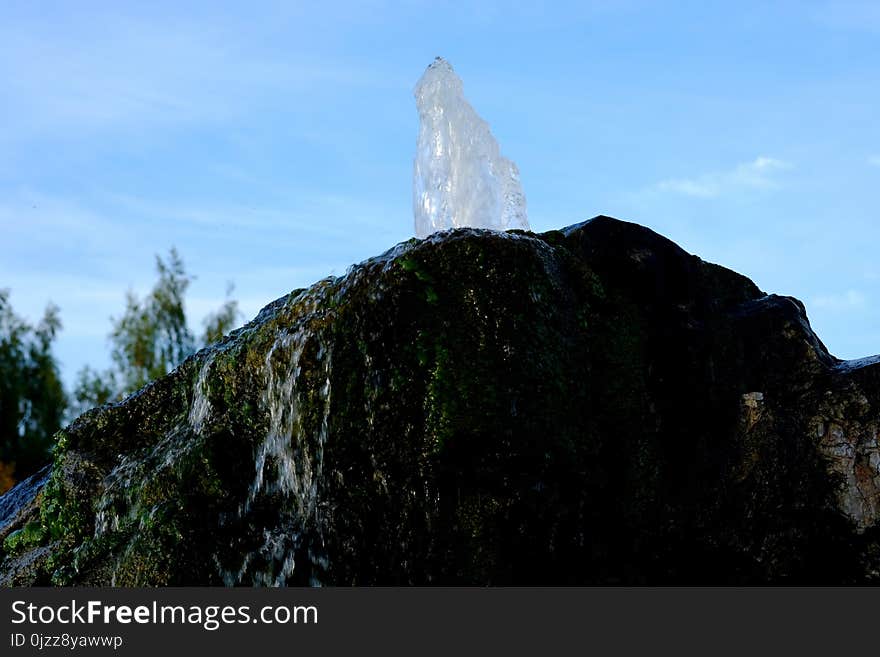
{"x":591,"y":405}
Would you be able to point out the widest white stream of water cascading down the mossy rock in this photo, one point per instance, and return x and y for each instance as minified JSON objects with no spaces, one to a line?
{"x":288,"y":462}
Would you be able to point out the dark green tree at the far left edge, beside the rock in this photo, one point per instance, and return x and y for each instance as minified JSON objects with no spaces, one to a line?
{"x":32,"y":399}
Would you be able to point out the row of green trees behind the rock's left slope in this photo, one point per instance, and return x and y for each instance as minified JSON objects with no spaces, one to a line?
{"x":147,"y":341}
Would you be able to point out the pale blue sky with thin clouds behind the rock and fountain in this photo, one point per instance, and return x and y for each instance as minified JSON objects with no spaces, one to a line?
{"x":272,"y":143}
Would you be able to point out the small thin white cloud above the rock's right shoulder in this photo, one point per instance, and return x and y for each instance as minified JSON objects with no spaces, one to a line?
{"x":757,"y":174}
